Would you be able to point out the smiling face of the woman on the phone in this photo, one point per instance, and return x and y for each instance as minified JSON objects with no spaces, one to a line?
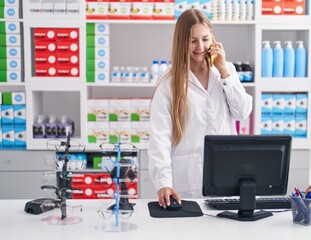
{"x":201,"y":39}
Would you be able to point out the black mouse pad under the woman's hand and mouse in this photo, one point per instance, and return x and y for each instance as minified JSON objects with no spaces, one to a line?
{"x":189,"y":209}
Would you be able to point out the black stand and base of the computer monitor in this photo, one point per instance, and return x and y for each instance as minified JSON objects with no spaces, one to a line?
{"x":247,"y":204}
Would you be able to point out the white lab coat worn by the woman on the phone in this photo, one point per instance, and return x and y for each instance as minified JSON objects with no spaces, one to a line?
{"x":211,"y":112}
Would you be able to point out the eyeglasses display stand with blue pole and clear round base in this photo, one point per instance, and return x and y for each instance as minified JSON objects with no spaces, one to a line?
{"x":122,"y":208}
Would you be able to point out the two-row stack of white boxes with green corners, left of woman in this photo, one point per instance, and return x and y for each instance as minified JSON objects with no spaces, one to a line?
{"x":114,"y":120}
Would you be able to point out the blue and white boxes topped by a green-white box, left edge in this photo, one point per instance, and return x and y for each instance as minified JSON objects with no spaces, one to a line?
{"x":13,"y":120}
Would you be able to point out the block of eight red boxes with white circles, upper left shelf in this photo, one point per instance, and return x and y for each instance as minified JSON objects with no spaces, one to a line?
{"x":56,"y":52}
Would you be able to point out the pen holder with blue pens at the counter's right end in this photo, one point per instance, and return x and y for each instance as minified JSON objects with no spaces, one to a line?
{"x":301,"y":210}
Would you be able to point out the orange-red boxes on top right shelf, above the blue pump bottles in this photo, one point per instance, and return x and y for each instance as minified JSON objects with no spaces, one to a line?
{"x":284,"y":7}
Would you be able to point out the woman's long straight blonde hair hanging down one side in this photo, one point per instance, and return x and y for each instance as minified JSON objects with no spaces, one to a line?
{"x":181,"y":68}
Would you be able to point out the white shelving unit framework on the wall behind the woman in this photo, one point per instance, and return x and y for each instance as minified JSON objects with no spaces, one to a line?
{"x":135,"y":42}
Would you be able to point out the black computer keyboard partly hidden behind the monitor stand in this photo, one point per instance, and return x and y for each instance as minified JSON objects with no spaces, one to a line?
{"x":261,"y":203}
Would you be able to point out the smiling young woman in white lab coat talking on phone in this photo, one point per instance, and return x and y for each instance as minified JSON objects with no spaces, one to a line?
{"x":194,"y":98}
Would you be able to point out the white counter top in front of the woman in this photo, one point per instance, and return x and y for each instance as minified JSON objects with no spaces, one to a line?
{"x":17,"y":224}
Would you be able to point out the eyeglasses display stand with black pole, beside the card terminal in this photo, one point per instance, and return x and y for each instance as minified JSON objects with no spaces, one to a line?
{"x":61,"y":192}
